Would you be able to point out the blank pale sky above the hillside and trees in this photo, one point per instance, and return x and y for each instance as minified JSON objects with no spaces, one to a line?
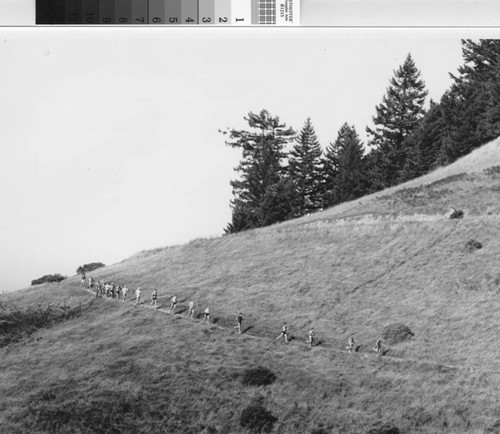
{"x":109,"y":140}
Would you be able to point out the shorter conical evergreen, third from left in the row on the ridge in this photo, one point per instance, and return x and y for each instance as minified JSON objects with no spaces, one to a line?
{"x":344,"y":167}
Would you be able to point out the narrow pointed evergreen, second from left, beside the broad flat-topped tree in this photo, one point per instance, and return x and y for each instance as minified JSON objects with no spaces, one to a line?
{"x":304,"y":166}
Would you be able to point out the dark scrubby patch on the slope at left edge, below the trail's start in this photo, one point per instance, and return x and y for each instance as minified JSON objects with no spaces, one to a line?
{"x":18,"y":323}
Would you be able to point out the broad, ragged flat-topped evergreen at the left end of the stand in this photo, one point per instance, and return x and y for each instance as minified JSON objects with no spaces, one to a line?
{"x":262,"y":194}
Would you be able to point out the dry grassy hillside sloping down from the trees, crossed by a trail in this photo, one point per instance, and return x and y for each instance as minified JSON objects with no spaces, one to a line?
{"x":393,"y":257}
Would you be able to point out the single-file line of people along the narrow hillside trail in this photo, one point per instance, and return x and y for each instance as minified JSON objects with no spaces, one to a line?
{"x":110,"y":290}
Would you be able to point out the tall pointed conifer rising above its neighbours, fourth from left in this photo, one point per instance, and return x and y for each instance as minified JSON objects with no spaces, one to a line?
{"x":396,"y":118}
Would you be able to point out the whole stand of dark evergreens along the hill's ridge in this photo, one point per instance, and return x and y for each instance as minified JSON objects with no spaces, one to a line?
{"x":406,"y":141}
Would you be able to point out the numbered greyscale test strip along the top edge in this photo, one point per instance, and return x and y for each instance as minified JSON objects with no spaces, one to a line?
{"x":168,"y":12}
